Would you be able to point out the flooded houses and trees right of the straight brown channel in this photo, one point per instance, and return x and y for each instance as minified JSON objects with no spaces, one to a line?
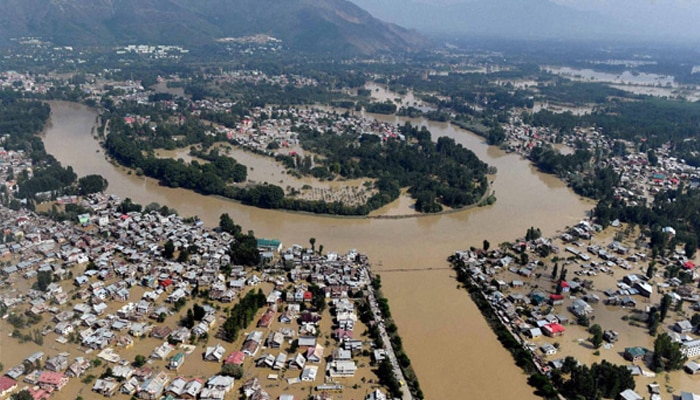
{"x":589,"y":295}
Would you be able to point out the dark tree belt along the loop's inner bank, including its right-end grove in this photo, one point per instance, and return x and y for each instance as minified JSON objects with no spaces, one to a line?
{"x":437,"y":174}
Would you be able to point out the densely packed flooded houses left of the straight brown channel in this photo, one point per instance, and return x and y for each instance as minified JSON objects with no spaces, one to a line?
{"x":106,"y":297}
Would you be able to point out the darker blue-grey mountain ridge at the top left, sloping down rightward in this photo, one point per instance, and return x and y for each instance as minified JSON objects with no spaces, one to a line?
{"x":317,"y":25}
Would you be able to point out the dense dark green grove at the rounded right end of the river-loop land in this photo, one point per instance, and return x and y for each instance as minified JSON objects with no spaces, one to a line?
{"x":437,"y":174}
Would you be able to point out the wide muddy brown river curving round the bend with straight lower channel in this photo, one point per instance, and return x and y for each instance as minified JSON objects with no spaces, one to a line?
{"x":452,"y":349}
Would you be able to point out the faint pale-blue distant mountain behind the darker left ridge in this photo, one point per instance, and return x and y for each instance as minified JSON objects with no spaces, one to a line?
{"x":501,"y":18}
